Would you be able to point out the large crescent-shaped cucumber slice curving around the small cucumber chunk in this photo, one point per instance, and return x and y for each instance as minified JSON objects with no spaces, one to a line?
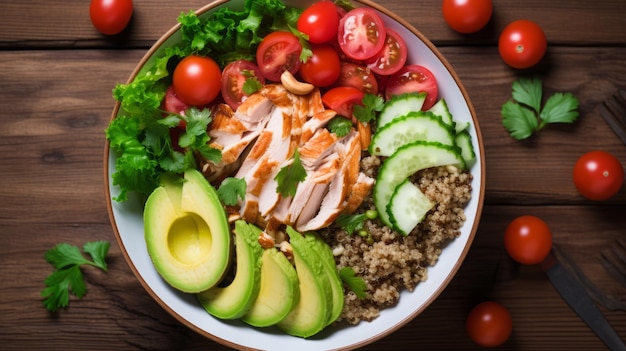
{"x":406,"y":161}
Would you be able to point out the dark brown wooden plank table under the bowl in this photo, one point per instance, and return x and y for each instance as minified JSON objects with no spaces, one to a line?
{"x":57,"y":74}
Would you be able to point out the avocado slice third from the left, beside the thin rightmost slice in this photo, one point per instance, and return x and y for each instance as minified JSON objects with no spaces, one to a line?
{"x":310,"y":315}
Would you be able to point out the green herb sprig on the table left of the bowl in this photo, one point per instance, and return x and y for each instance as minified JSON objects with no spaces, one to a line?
{"x":68,"y":277}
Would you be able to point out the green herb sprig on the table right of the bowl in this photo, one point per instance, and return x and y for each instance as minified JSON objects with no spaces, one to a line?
{"x":523,"y":116}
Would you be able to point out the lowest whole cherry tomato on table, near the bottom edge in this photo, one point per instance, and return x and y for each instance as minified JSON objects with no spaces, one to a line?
{"x":489,"y":324}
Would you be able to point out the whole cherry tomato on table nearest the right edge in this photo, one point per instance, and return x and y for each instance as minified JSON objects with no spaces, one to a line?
{"x":598,"y":175}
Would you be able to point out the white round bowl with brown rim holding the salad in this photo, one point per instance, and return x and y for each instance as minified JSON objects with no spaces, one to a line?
{"x":127,"y":223}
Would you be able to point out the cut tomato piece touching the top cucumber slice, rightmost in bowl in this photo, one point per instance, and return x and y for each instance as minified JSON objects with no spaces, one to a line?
{"x":413,"y":78}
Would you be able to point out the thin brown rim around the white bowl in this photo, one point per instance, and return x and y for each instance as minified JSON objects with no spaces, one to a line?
{"x":391,"y":329}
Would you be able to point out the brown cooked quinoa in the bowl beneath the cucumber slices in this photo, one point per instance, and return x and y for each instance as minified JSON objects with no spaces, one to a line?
{"x":389,"y":262}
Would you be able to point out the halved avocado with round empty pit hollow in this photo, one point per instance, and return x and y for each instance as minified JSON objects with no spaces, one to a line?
{"x":186,"y":232}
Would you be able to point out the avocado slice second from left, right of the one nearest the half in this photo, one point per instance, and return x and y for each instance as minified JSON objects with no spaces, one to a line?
{"x":278,"y":293}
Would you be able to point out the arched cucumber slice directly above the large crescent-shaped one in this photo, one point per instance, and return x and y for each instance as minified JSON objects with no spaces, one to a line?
{"x":409,"y":128}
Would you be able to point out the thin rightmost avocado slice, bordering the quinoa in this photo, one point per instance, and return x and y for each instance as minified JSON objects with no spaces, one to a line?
{"x":317,"y":243}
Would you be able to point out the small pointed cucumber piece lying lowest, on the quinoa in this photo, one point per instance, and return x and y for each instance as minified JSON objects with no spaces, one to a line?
{"x":408,"y":207}
